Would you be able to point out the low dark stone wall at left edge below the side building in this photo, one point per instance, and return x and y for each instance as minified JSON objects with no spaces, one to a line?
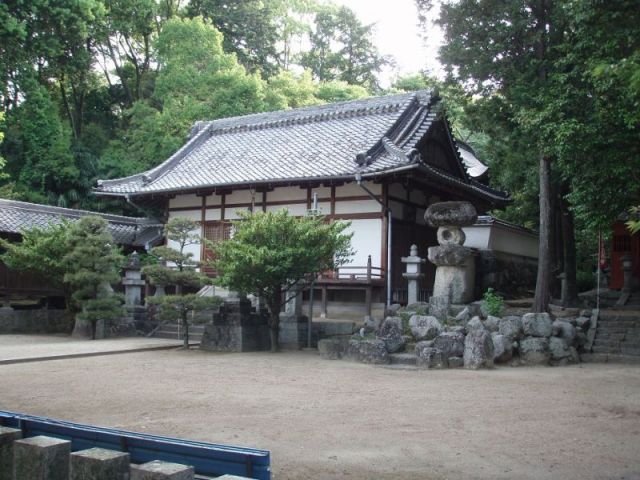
{"x":35,"y":321}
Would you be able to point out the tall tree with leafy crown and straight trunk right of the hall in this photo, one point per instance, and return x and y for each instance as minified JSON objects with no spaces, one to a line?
{"x":504,"y":49}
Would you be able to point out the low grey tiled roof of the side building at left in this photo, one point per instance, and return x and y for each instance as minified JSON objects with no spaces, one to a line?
{"x":17,"y":216}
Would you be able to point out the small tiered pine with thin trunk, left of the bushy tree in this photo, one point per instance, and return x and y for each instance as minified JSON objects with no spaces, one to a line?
{"x":176,"y":267}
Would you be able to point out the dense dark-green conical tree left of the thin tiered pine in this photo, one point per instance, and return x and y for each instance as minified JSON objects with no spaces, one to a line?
{"x":92,"y":264}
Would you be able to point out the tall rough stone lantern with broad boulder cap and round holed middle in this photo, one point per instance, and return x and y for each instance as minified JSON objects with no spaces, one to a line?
{"x":455,"y":272}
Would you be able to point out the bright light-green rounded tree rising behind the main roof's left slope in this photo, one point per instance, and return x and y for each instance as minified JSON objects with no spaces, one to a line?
{"x":196,"y":80}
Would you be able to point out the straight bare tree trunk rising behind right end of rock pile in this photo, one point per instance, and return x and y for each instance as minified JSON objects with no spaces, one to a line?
{"x":543,"y":285}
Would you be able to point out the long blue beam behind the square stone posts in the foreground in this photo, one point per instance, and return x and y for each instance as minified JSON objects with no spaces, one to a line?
{"x":207,"y":458}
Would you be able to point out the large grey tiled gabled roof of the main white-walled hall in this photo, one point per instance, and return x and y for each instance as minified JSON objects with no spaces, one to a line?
{"x":306,"y":144}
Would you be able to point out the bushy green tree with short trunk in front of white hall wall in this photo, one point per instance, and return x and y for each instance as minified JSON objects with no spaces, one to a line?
{"x":270,"y":253}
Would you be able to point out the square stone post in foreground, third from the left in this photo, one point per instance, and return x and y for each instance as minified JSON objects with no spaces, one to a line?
{"x":99,"y":464}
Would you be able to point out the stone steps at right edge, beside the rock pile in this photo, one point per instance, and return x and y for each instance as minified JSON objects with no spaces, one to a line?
{"x":618,"y":333}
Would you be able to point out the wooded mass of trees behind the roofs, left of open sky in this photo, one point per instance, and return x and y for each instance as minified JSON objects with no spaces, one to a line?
{"x":107,"y":88}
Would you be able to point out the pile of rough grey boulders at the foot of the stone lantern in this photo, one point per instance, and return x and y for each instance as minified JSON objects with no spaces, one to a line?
{"x":477,"y":342}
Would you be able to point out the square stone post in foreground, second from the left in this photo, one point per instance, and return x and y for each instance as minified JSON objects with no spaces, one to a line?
{"x":41,"y":458}
